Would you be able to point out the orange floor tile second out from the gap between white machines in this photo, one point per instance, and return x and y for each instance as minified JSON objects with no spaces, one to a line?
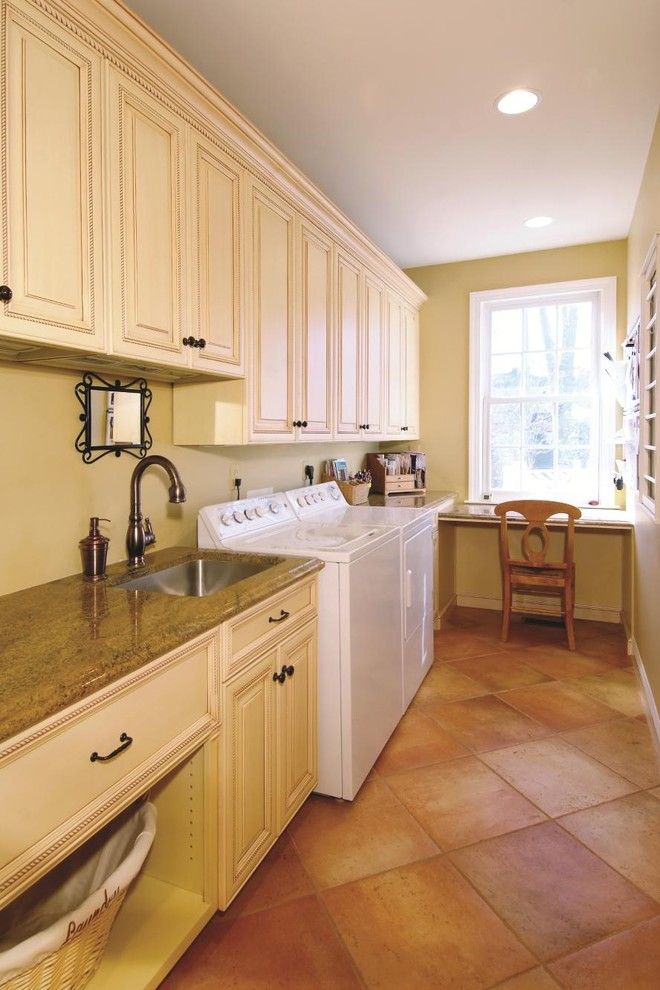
{"x":485,"y":723}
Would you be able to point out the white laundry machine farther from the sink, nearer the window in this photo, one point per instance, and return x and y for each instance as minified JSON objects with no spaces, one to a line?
{"x":415,"y":527}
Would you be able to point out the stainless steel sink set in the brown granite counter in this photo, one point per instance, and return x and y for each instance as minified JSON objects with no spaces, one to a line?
{"x":196,"y":578}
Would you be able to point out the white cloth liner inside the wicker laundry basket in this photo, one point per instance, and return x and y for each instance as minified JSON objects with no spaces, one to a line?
{"x":86,"y":892}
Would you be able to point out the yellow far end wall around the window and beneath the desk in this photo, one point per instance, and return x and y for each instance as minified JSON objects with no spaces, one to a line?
{"x":444,"y":330}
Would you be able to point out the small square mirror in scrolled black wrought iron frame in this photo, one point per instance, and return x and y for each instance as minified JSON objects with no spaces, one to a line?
{"x":114,"y":417}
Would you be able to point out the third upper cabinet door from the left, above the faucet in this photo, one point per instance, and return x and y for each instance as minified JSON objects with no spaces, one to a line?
{"x":216,"y":269}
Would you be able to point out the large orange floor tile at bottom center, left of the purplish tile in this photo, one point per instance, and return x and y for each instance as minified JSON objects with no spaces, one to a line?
{"x":423,"y":927}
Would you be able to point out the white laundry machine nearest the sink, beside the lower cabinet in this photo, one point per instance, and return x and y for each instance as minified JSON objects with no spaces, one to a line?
{"x":359,"y":621}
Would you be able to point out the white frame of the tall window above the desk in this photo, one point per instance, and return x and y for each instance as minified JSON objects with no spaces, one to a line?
{"x":481,"y":305}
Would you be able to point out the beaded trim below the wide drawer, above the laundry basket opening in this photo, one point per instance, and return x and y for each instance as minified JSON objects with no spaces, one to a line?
{"x":184,"y":744}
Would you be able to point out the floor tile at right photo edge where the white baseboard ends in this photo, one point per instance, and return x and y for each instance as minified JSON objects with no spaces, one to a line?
{"x":625,"y":746}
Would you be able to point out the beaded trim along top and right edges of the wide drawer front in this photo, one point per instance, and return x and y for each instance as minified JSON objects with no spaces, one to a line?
{"x":118,"y":688}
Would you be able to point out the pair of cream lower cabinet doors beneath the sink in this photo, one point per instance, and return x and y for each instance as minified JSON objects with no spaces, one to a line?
{"x":269,"y":752}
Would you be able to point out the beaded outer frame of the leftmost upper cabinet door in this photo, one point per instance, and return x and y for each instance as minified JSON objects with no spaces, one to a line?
{"x":19,"y":16}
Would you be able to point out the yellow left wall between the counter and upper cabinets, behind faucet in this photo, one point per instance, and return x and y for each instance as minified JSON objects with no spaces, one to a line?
{"x":48,"y":493}
